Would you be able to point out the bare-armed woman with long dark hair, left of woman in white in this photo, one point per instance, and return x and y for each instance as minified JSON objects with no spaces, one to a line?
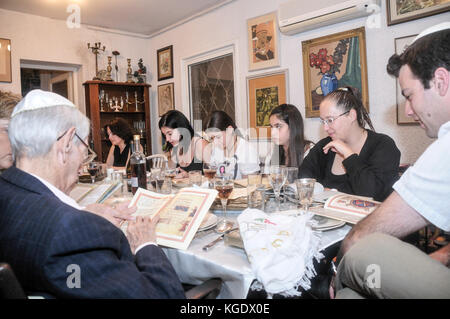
{"x":179,"y":140}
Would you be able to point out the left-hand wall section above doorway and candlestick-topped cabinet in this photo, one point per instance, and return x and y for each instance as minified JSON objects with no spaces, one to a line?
{"x":48,"y":40}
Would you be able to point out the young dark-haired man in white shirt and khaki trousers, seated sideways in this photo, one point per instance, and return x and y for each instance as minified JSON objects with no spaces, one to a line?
{"x":373,"y":261}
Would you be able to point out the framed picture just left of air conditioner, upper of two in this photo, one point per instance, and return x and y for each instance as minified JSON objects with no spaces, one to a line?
{"x":263,"y":42}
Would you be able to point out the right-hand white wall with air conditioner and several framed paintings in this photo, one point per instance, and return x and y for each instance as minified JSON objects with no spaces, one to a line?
{"x":228,"y":25}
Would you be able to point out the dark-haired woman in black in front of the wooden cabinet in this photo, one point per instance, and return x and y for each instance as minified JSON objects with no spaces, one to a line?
{"x":120,"y":134}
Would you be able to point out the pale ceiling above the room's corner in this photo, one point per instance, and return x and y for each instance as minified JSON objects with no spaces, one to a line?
{"x":141,"y":17}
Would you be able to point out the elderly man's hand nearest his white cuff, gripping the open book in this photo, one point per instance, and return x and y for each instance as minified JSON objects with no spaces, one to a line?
{"x":141,"y":231}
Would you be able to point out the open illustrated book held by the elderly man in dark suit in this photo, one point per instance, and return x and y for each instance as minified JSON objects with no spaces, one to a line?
{"x":180,"y":215}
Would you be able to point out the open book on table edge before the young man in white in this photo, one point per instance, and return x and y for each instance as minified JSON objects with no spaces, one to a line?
{"x":349,"y":208}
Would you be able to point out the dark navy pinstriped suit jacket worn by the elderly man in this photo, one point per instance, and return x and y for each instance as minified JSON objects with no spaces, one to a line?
{"x":40,"y":237}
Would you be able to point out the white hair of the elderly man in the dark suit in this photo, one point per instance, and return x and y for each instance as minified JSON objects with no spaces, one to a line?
{"x":32,"y":133}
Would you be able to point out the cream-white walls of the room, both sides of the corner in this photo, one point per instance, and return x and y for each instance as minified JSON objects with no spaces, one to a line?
{"x":43,"y":39}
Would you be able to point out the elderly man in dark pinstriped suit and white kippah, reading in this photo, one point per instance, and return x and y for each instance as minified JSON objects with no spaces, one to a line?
{"x":45,"y":235}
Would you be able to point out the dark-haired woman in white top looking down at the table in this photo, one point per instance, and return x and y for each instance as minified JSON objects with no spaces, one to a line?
{"x":230,"y":150}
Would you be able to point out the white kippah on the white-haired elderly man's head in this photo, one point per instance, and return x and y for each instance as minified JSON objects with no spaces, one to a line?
{"x":38,"y":99}
